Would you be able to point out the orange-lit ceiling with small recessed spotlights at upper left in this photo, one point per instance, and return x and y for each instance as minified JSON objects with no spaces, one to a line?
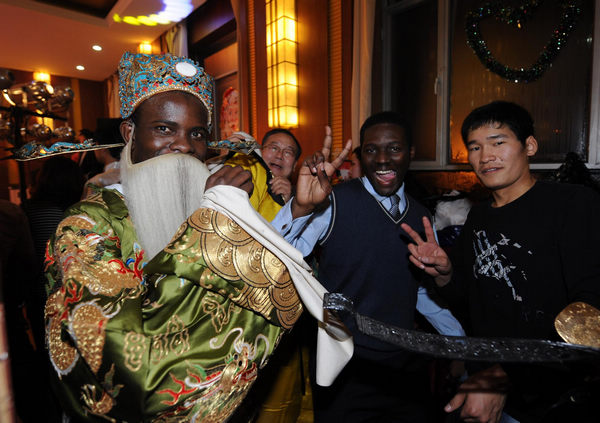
{"x":55,"y":36}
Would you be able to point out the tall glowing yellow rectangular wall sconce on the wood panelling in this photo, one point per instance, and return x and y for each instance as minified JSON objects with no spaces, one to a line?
{"x":282,"y":68}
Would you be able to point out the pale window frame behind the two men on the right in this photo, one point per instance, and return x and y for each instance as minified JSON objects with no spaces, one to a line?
{"x":441,"y":87}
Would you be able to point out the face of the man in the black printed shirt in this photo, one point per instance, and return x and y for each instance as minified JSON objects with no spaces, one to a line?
{"x":500,"y":160}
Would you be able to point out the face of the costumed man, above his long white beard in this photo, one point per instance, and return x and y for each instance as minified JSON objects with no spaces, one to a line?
{"x":168,"y":122}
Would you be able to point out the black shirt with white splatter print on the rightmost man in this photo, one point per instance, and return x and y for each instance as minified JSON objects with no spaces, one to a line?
{"x":518,"y":266}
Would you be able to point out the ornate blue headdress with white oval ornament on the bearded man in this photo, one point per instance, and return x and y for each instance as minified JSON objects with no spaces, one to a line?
{"x":143,"y":75}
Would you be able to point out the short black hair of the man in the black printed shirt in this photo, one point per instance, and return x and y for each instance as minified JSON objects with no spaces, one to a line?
{"x":504,"y":113}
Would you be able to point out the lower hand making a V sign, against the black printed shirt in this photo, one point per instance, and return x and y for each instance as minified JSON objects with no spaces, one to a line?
{"x":428,"y":255}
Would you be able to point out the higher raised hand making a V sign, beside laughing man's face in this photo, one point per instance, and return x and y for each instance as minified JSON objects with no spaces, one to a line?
{"x":314,"y":184}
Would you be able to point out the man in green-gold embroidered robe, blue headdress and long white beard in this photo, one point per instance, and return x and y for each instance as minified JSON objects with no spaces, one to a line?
{"x":149,"y":319}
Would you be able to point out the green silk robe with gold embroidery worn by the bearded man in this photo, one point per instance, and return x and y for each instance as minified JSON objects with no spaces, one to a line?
{"x":179,"y":338}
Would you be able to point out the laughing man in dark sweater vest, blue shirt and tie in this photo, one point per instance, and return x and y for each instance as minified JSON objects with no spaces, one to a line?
{"x":363,"y":254}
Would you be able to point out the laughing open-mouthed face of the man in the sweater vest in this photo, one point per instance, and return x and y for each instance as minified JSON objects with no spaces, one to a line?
{"x":385,"y":156}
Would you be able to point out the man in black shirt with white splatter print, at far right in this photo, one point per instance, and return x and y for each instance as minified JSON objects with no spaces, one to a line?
{"x":520,"y":260}
